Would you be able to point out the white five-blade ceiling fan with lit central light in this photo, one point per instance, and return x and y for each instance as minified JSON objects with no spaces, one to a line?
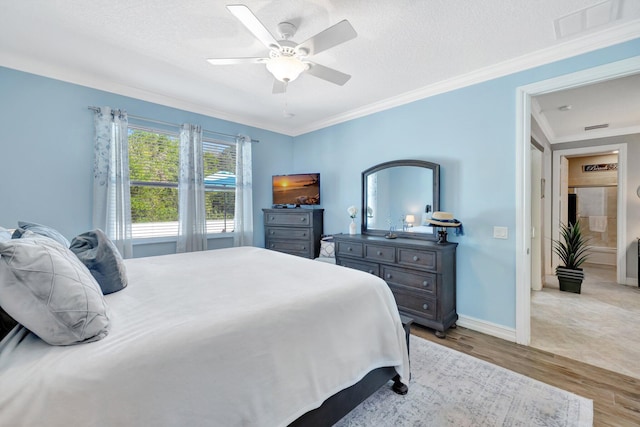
{"x":286,"y":59}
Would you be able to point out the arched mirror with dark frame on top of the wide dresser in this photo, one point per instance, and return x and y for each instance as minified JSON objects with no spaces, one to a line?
{"x":398,"y":197}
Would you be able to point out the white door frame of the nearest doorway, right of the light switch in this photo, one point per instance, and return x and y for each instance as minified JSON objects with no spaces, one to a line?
{"x":523,"y":174}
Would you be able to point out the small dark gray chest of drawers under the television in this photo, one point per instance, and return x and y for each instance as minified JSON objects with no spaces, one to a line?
{"x":293,"y":231}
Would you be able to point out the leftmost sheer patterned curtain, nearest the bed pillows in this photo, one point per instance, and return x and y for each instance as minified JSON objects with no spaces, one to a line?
{"x":111,"y":197}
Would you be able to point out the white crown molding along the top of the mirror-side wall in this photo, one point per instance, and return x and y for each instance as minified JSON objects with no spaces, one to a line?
{"x":585,"y":44}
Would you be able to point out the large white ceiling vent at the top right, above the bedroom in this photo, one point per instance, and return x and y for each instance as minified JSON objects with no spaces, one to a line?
{"x":588,"y":18}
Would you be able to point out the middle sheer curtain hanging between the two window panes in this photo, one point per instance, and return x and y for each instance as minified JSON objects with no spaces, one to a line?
{"x":192,"y":229}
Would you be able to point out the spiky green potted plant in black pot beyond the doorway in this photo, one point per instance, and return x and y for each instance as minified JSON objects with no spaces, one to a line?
{"x":572,"y":248}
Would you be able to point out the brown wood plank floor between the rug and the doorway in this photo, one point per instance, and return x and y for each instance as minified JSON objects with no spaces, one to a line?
{"x":616,"y":398}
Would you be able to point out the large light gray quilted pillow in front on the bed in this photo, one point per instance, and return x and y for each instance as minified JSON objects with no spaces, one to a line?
{"x":46,"y":288}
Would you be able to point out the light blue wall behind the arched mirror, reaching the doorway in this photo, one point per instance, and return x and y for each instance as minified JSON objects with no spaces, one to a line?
{"x":471,"y":133}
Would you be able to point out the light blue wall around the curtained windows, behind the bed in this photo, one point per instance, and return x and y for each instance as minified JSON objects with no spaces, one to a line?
{"x":46,"y":153}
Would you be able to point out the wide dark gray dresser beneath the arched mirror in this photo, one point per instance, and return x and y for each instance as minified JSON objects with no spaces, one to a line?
{"x":420,"y":273}
